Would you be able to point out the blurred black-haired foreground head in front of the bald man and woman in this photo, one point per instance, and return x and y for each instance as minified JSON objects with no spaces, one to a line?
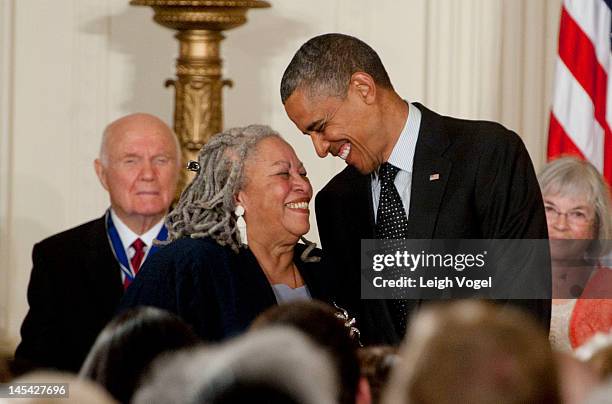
{"x":129,"y":343}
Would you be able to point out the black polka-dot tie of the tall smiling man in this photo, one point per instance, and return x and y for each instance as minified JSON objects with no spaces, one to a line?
{"x":392,"y":223}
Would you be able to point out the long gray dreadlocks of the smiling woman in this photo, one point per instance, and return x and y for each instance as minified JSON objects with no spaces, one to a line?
{"x":206,"y":207}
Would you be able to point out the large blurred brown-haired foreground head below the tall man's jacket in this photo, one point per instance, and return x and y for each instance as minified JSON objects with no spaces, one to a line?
{"x":474,"y":352}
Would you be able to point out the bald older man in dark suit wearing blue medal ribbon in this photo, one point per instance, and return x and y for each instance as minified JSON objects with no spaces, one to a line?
{"x":79,"y":275}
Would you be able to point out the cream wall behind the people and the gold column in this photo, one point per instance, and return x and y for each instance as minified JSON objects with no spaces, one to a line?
{"x":67,"y":67}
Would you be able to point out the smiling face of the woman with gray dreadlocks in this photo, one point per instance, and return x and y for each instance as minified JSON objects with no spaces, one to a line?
{"x":276,"y":194}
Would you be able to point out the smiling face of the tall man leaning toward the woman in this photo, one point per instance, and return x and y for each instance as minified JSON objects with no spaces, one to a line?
{"x":346,"y":128}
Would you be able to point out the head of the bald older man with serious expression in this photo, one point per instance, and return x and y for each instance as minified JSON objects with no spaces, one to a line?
{"x":139,"y":166}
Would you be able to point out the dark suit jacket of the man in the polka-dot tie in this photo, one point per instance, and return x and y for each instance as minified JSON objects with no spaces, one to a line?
{"x":487,"y":189}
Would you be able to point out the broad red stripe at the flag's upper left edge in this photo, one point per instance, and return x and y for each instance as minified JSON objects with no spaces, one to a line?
{"x":578,"y":53}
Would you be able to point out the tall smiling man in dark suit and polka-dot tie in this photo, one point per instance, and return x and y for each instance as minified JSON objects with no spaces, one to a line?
{"x":450,"y":178}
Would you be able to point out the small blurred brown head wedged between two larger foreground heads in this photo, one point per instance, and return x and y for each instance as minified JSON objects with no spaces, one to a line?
{"x":376,"y":363}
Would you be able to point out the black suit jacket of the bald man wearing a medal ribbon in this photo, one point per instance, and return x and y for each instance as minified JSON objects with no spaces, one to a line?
{"x":74,"y":290}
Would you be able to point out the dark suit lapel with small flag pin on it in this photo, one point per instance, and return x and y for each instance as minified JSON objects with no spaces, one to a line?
{"x":429,"y":176}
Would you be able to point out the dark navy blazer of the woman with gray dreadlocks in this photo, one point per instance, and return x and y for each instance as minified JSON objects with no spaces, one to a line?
{"x":218,"y":292}
